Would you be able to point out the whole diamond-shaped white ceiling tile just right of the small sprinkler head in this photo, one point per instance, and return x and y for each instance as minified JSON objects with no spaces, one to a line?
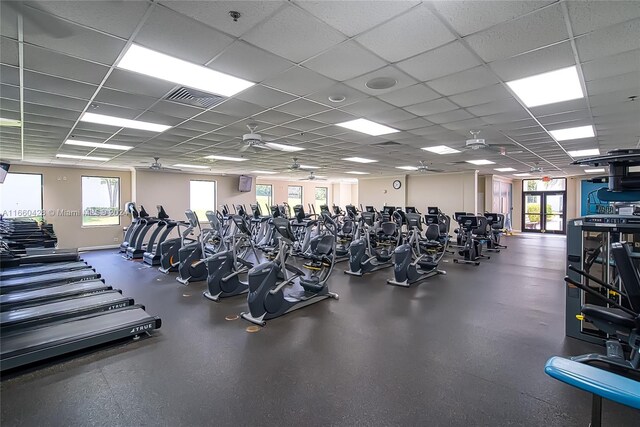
{"x":277,"y":33}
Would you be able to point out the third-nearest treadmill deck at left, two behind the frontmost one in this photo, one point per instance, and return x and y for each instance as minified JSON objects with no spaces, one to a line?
{"x":38,"y":296}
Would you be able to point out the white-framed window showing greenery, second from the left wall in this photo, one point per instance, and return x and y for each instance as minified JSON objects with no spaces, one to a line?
{"x":100,"y":201}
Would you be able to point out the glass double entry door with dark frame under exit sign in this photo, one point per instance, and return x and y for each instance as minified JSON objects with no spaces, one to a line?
{"x":544,"y":212}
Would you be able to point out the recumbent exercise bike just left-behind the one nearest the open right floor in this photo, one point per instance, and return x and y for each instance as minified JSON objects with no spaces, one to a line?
{"x":364,"y":254}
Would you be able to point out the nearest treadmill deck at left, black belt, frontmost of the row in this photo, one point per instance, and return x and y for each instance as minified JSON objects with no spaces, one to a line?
{"x":32,"y":345}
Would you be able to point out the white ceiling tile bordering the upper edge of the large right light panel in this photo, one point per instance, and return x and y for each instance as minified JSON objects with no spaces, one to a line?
{"x":536,"y":62}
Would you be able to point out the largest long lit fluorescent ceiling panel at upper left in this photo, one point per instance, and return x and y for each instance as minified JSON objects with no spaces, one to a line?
{"x":165,"y":67}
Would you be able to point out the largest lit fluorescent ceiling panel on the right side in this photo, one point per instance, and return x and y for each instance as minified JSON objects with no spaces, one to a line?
{"x":548,"y":88}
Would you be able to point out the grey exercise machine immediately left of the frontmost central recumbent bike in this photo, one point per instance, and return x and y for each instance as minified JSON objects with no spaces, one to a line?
{"x":224,"y":268}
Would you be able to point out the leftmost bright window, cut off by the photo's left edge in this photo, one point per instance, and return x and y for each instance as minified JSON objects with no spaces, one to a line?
{"x":21,"y":195}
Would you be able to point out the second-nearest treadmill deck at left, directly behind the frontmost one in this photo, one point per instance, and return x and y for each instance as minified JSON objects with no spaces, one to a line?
{"x":62,"y":309}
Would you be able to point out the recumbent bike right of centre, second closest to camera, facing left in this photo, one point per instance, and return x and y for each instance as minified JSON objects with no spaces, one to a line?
{"x":418,"y":259}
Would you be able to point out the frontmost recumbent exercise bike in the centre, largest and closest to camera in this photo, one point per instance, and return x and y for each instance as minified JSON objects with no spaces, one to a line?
{"x":267,"y":298}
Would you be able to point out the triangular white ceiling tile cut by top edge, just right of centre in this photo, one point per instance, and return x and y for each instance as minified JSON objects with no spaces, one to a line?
{"x":353,"y":17}
